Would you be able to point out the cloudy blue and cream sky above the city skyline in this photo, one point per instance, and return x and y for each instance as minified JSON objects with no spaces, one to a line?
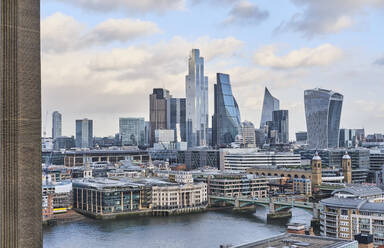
{"x":101,"y":58}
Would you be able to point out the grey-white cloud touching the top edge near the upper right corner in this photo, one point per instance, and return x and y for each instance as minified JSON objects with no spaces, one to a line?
{"x":327,"y":16}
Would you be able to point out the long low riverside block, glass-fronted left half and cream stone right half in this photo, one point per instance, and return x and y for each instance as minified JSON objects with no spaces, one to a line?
{"x":108,"y":198}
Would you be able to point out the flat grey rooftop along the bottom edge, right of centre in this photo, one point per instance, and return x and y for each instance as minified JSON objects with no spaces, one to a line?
{"x":295,"y":240}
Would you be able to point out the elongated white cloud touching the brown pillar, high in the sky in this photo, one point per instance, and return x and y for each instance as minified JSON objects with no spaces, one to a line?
{"x":62,"y":33}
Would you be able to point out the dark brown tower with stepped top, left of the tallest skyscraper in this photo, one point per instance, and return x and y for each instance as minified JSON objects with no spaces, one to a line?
{"x":158,"y":111}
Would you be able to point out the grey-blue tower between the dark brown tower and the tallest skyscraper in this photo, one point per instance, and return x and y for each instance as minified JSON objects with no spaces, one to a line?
{"x":177,"y":117}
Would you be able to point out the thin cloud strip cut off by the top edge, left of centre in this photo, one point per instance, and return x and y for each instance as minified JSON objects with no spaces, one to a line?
{"x":131,"y":6}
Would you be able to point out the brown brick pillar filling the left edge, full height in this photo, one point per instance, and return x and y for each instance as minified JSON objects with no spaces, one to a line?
{"x":20,"y":124}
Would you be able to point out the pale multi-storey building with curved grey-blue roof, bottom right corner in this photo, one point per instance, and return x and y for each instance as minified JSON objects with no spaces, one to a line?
{"x":354,"y":210}
